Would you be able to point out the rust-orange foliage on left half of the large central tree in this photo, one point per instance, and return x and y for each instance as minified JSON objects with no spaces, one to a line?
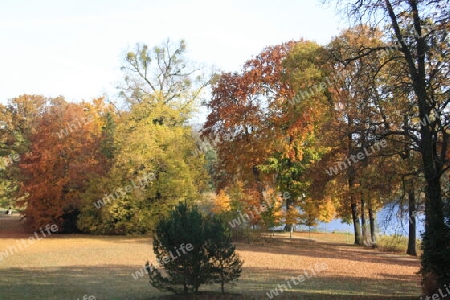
{"x":244,"y":107}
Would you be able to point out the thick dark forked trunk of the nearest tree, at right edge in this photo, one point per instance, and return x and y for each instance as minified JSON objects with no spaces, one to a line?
{"x":436,"y":239}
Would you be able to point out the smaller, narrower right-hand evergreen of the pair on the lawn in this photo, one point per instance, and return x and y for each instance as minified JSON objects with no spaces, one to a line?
{"x":226,"y":263}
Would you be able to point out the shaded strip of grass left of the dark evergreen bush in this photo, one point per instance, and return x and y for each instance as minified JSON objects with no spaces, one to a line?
{"x":104,"y":282}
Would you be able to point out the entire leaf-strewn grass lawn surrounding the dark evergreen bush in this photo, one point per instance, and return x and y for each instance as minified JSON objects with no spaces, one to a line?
{"x":71,"y":266}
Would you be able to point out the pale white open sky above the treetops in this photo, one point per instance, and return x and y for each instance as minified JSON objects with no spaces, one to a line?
{"x":76,"y":48}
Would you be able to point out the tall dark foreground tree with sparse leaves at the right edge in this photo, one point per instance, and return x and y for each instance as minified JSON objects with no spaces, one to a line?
{"x":420,"y":29}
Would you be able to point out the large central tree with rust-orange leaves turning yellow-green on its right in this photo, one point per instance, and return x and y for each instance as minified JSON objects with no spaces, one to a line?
{"x":261,"y":131}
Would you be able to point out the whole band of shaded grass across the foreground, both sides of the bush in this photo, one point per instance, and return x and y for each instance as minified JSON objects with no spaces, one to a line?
{"x":116,"y":282}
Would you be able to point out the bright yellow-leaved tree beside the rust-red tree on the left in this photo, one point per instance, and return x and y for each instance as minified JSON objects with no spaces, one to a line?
{"x":162,"y":153}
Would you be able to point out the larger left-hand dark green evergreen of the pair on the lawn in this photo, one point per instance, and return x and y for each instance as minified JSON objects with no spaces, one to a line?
{"x":184,"y":271}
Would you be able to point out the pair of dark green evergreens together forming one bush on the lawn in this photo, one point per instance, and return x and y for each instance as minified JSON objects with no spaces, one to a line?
{"x":192,"y":250}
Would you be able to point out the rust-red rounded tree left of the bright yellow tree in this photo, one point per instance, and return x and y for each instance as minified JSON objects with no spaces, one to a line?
{"x":63,"y":155}
